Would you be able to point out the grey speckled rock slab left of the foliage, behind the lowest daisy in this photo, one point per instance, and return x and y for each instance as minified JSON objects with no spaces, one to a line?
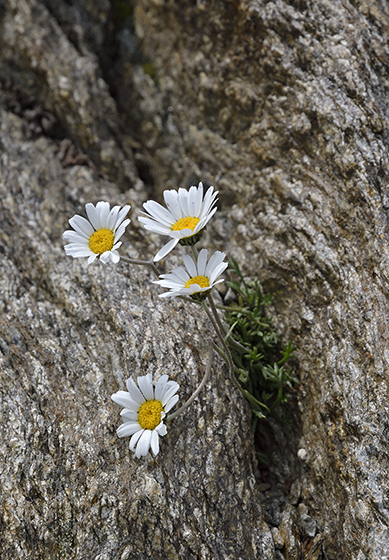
{"x":70,"y":335}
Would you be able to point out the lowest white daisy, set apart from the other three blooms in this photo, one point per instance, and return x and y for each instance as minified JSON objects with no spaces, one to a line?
{"x":144,"y":410}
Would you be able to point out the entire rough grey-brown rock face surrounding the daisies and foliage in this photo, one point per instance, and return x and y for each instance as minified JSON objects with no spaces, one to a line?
{"x":282,"y":105}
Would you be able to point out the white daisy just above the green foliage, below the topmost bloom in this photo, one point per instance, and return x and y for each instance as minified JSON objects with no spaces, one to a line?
{"x":196,"y":279}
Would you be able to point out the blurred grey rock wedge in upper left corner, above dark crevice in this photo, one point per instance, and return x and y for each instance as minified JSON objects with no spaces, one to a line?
{"x":38,"y":57}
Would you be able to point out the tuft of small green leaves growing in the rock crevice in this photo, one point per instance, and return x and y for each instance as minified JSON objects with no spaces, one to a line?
{"x":259,"y":358}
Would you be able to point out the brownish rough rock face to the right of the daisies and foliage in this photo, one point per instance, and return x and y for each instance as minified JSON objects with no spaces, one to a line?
{"x":284,"y":106}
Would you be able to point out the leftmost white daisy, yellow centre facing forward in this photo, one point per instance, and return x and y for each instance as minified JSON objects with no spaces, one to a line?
{"x":98,"y":236}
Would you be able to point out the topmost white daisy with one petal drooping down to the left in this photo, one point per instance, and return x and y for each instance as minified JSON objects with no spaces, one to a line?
{"x":185,"y":218}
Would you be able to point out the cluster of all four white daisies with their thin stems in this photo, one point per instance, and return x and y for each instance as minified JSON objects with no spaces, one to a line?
{"x":183,"y":219}
